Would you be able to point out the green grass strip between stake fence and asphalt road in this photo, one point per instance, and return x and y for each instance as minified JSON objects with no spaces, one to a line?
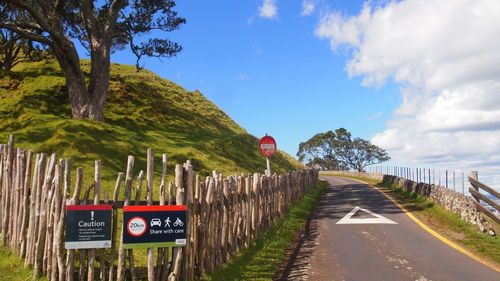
{"x":262,"y":259}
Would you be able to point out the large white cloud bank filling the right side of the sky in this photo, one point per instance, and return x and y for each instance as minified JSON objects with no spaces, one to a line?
{"x":445,"y":55}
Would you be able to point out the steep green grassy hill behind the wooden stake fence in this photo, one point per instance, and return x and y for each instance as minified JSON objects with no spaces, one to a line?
{"x":142,"y":110}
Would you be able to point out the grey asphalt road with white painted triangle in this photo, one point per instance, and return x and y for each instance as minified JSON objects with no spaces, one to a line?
{"x":378,"y":242}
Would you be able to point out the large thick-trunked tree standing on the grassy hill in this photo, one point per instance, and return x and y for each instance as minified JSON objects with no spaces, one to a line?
{"x":101,"y":26}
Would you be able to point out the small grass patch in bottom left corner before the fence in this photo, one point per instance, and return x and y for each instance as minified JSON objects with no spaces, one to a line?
{"x":11,"y":268}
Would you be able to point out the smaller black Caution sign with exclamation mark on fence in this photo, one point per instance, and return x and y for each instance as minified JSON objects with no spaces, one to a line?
{"x":88,"y":226}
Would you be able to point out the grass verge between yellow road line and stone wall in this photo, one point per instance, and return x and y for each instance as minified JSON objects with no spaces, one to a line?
{"x":443,"y":221}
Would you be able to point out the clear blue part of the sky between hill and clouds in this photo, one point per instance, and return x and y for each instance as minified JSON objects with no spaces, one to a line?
{"x":271,"y":75}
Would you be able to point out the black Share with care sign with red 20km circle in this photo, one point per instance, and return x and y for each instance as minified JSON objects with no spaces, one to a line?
{"x":154,"y":226}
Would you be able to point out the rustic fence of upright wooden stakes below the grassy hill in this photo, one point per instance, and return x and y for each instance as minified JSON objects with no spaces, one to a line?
{"x":224,"y":214}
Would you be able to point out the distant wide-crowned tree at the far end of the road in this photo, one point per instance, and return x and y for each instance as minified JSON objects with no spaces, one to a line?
{"x":338,"y":151}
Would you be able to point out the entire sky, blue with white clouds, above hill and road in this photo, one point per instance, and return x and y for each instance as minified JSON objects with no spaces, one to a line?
{"x":419,"y":78}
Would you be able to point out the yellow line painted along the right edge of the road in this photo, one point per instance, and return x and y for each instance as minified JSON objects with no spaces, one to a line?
{"x":435,"y":234}
